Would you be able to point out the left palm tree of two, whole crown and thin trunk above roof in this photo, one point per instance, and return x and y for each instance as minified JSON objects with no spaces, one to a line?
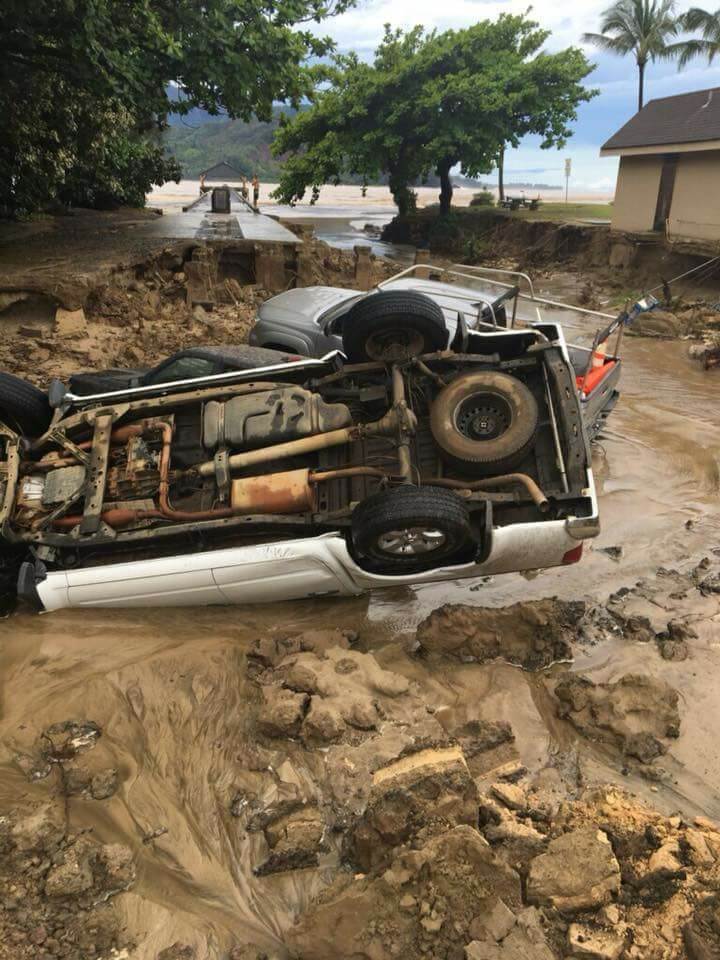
{"x":641,"y":27}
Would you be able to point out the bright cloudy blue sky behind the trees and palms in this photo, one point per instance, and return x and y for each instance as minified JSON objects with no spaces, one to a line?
{"x":616,"y":77}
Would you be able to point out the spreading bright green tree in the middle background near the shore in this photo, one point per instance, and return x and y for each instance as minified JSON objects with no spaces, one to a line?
{"x":432,"y":103}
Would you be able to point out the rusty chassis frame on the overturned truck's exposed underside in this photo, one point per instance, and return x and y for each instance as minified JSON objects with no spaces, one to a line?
{"x":398,"y":423}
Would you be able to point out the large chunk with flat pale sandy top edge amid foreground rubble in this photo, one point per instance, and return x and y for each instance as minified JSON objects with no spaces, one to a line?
{"x":430,"y":788}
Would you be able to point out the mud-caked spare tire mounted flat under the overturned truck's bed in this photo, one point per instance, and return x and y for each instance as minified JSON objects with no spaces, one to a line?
{"x":484,"y":422}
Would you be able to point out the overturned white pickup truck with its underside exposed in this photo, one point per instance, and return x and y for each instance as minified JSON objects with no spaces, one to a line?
{"x":416,"y":454}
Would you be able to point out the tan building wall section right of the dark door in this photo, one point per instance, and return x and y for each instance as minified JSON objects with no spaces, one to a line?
{"x":695,"y":209}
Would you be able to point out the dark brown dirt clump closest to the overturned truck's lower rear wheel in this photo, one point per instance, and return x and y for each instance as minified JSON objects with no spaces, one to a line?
{"x":533,"y":634}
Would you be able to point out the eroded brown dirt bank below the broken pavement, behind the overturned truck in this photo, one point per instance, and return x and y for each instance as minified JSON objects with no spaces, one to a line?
{"x":144,"y":308}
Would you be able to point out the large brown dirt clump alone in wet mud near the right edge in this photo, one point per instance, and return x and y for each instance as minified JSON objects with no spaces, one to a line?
{"x":635,"y":713}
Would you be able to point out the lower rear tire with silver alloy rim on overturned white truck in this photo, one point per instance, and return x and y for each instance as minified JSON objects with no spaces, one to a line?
{"x":409,"y":529}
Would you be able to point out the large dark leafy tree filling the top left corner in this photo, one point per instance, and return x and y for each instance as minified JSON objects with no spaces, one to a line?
{"x":87,"y":83}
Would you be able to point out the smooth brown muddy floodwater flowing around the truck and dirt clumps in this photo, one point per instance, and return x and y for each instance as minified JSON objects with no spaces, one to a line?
{"x":169,"y":688}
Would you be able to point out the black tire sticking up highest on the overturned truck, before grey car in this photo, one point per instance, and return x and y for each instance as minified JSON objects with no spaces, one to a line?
{"x":393,"y":325}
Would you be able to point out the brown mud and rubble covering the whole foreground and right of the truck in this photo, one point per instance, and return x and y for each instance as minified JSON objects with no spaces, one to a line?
{"x":463,"y":770}
